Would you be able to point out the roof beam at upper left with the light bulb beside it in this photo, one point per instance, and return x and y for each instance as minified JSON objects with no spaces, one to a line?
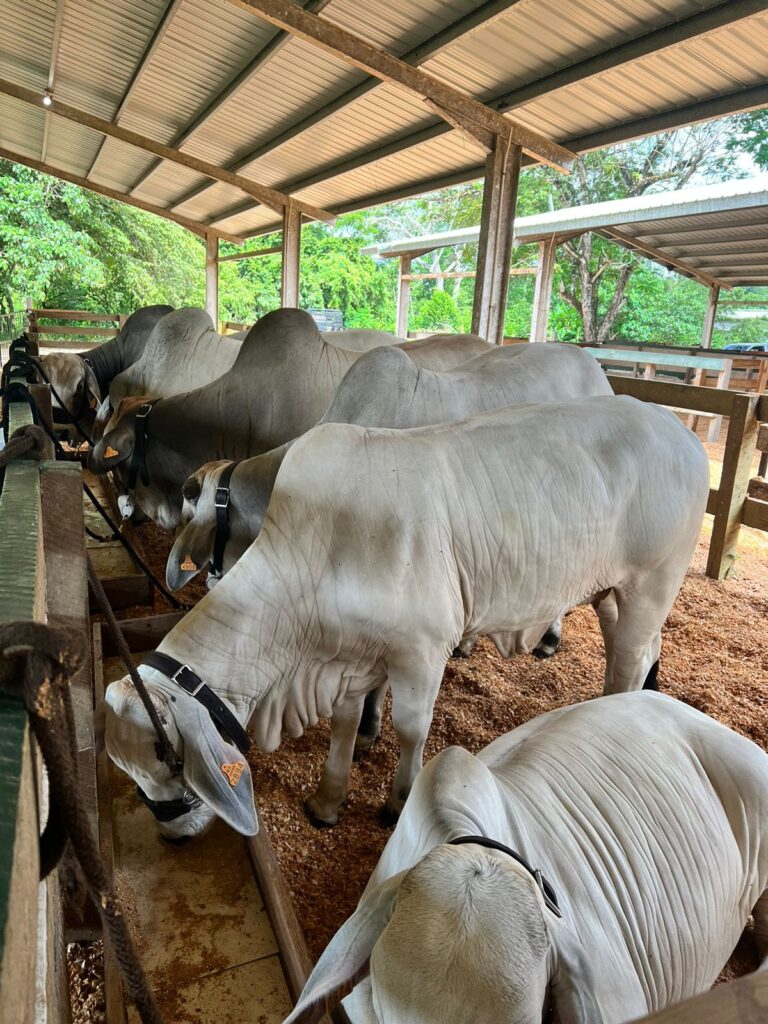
{"x":270,"y":197}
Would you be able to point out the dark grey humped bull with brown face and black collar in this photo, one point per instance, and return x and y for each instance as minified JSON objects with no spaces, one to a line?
{"x":281,"y":383}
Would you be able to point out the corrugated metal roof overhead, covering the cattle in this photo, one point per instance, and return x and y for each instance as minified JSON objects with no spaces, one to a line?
{"x":287,"y":124}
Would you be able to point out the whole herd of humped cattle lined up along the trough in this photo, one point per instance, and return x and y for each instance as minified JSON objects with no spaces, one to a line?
{"x":365,"y":506}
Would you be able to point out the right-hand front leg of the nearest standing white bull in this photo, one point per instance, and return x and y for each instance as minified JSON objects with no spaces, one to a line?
{"x":413,"y":703}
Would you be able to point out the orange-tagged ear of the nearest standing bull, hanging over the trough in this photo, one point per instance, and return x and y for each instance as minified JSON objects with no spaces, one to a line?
{"x":216,"y":771}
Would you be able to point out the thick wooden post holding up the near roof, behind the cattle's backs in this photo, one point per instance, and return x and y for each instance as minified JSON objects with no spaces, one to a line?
{"x":500,"y":195}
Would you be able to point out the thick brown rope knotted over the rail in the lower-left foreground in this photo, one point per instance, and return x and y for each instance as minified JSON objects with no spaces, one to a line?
{"x":36,"y":662}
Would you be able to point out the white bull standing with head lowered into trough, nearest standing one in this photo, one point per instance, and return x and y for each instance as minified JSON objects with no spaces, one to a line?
{"x":381,"y":549}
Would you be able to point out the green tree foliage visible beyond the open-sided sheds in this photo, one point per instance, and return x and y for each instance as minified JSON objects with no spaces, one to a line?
{"x":65,"y":247}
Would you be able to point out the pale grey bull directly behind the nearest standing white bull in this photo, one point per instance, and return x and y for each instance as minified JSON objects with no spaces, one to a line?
{"x":385,"y":389}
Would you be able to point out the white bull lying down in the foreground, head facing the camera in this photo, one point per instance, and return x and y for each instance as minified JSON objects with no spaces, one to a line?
{"x":650,"y":824}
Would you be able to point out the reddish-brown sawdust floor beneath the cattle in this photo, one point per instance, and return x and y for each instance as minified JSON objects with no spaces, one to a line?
{"x":714,"y":658}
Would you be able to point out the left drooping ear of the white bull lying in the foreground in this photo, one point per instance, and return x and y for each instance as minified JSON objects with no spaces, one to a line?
{"x":347,"y":959}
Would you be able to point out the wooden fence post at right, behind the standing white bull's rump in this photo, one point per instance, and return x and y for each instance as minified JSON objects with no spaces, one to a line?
{"x":740,"y":450}
